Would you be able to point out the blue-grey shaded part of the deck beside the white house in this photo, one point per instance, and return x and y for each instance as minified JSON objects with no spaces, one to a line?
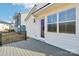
{"x":38,"y":46}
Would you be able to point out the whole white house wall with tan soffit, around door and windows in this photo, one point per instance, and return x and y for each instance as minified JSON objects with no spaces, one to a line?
{"x":65,"y":41}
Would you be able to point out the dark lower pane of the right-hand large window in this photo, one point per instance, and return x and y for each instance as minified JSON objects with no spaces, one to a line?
{"x":68,"y":27}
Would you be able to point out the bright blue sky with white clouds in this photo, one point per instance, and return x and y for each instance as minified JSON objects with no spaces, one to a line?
{"x":8,"y":10}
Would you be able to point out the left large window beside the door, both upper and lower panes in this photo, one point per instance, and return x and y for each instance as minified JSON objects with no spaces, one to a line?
{"x":52,"y":23}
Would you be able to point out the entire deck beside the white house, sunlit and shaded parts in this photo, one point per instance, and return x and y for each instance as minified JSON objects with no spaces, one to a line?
{"x":32,"y":47}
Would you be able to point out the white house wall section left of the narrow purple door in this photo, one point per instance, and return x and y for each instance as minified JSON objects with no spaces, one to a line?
{"x":33,"y":29}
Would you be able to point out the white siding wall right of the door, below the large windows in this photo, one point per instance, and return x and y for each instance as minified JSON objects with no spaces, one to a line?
{"x":65,"y":41}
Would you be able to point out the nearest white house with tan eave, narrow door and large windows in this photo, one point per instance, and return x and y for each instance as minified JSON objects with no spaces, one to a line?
{"x":56,"y":24}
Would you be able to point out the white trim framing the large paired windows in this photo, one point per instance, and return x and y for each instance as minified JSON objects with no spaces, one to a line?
{"x":58,"y":22}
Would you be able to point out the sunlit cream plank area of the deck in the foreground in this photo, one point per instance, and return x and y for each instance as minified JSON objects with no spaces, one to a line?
{"x":14,"y":51}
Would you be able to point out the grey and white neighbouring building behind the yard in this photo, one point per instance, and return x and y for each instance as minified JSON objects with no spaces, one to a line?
{"x":19,"y":22}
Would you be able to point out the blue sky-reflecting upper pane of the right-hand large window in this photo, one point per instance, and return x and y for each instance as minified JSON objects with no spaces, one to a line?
{"x":67,"y":15}
